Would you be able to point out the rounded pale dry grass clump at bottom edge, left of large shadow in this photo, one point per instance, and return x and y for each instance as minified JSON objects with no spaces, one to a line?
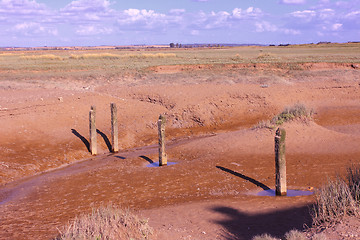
{"x":107,"y":223}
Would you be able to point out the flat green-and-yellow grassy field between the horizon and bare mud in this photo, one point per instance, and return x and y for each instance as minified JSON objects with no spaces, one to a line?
{"x":20,"y":65}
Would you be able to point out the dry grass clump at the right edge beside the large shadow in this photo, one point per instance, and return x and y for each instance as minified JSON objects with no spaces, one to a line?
{"x":337,"y":199}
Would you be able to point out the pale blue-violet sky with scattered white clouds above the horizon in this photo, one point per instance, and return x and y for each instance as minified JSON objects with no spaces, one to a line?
{"x":32,"y":23}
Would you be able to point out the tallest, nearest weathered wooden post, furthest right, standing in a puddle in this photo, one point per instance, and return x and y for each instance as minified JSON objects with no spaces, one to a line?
{"x":280,"y":163}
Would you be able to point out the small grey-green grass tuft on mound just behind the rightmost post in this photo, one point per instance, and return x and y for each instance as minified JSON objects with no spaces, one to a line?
{"x":298,"y":111}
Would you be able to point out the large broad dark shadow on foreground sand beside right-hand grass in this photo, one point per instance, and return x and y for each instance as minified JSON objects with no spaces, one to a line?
{"x":240,"y":225}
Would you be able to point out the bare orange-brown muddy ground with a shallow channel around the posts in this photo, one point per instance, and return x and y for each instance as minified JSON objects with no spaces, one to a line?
{"x":48,"y":177}
